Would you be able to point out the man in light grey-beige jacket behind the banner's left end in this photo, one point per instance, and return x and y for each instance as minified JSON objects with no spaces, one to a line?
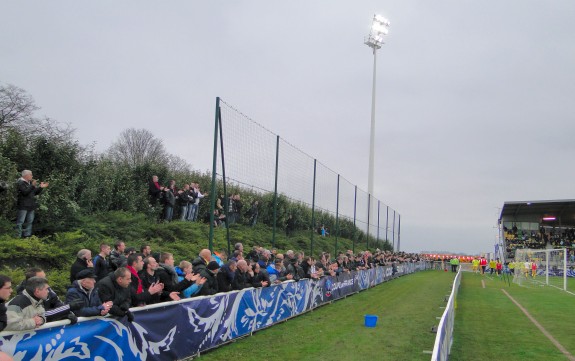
{"x":26,"y":311}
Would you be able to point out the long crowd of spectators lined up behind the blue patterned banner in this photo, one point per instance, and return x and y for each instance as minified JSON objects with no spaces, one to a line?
{"x":114,"y":281}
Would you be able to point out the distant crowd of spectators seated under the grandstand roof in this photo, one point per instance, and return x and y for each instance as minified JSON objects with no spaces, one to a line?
{"x":543,"y":238}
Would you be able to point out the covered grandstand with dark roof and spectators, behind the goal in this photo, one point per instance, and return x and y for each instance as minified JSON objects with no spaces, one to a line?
{"x":538,"y":225}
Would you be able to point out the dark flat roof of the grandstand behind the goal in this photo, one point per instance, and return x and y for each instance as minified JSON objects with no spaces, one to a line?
{"x":530,"y":211}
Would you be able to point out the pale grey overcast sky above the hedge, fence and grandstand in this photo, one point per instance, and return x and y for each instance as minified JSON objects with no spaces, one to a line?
{"x":474,"y":98}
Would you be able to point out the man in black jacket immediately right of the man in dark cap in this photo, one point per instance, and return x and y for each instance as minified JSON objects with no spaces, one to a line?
{"x":116,"y":288}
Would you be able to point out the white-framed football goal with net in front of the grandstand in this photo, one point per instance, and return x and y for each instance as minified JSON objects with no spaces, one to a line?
{"x":537,"y":267}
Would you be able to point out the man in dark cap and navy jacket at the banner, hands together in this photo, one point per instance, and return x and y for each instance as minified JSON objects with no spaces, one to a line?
{"x":83,"y":298}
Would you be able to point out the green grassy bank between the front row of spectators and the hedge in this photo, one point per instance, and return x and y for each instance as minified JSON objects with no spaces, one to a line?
{"x":57,"y":252}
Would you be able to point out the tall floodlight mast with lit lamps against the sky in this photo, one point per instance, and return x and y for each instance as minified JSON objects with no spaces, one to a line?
{"x":379,"y":28}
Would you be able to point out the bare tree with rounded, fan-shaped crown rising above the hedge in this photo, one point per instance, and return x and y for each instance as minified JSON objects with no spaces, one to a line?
{"x":136,"y":147}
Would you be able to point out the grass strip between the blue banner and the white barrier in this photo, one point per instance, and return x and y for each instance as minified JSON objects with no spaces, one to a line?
{"x":407,"y":308}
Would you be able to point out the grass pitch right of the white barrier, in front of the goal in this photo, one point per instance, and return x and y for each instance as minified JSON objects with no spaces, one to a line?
{"x":489,"y":326}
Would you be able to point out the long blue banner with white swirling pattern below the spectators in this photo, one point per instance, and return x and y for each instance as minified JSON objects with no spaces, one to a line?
{"x":177,"y":330}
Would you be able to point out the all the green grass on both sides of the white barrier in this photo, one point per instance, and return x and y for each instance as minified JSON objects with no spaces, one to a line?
{"x":489,"y":325}
